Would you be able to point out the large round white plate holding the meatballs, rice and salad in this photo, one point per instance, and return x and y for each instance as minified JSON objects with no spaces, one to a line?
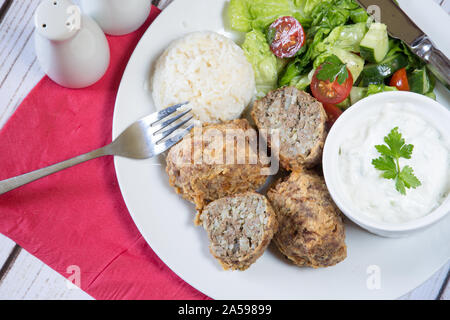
{"x":166,"y":221}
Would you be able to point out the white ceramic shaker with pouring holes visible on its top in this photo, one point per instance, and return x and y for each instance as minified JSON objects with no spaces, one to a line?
{"x":70,"y":46}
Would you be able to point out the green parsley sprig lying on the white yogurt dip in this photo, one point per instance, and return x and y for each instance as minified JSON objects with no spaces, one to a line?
{"x":394,"y":149}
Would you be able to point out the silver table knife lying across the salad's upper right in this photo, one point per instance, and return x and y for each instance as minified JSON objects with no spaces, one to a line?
{"x":401,"y":27}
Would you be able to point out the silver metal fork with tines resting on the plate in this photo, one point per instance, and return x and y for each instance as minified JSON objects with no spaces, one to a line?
{"x":144,"y":139}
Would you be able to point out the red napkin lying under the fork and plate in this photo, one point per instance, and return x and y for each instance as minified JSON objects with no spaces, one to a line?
{"x":76,"y":219}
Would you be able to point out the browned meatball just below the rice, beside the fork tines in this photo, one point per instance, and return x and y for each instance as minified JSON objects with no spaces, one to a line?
{"x":215,"y":161}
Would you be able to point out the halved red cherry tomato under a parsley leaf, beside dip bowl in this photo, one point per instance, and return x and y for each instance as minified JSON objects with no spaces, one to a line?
{"x":331,"y":92}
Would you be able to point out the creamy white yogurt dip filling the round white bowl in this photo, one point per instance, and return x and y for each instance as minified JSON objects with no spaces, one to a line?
{"x":377,"y":197}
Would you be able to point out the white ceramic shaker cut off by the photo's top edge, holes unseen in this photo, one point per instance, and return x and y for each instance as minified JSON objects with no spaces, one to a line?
{"x":117,"y":17}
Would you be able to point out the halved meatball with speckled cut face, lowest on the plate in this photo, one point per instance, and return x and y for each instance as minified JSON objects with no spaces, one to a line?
{"x":239,"y":229}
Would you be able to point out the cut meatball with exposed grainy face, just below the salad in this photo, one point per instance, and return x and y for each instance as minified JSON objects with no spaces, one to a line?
{"x":301,"y":123}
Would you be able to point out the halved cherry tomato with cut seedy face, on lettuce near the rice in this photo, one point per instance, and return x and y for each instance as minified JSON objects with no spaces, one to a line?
{"x":287,"y":36}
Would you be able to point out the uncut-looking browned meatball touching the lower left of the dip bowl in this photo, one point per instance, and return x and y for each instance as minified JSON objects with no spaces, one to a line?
{"x":311,"y":231}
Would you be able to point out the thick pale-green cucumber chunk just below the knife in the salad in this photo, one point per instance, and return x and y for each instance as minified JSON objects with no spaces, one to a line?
{"x":375,"y":44}
